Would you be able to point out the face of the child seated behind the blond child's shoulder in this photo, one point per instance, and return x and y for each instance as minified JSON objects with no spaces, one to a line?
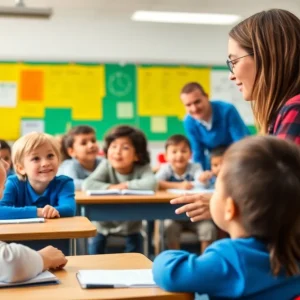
{"x":85,"y":147}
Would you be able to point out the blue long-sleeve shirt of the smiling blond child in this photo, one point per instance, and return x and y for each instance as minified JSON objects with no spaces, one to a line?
{"x":20,"y":201}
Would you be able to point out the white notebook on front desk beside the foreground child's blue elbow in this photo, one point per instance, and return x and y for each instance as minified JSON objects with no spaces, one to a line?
{"x":89,"y":279}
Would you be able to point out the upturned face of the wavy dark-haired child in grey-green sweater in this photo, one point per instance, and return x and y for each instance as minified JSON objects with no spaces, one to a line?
{"x":122,"y":155}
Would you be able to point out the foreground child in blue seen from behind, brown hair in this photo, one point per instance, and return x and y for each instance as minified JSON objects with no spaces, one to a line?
{"x":257,"y":202}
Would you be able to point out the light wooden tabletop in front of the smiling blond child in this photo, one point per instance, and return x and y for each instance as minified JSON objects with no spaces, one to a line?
{"x":61,"y":228}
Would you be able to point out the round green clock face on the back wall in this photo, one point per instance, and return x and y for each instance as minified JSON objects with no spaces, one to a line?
{"x":120,"y":84}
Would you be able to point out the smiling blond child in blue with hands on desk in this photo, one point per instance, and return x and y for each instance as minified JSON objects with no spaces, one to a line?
{"x":35,"y":190}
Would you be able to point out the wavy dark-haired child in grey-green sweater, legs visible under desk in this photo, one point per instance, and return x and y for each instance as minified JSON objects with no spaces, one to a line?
{"x":126,"y":167}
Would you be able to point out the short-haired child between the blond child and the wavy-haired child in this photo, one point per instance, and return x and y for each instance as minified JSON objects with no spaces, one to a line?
{"x":80,"y":150}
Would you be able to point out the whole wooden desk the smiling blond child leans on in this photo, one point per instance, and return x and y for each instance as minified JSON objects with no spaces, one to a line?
{"x":60,"y":232}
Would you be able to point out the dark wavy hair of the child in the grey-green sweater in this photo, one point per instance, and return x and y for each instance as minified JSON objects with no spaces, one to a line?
{"x":137,"y":138}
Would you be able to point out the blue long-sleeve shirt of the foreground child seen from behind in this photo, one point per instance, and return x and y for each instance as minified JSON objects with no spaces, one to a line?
{"x":228,"y":269}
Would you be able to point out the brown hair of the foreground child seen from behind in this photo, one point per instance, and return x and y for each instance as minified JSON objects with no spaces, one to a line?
{"x":262,"y":176}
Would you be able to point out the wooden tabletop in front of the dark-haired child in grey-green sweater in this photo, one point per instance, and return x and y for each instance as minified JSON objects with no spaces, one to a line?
{"x":158,"y":197}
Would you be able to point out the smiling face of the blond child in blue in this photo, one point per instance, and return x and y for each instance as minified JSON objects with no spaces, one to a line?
{"x":40,"y":165}
